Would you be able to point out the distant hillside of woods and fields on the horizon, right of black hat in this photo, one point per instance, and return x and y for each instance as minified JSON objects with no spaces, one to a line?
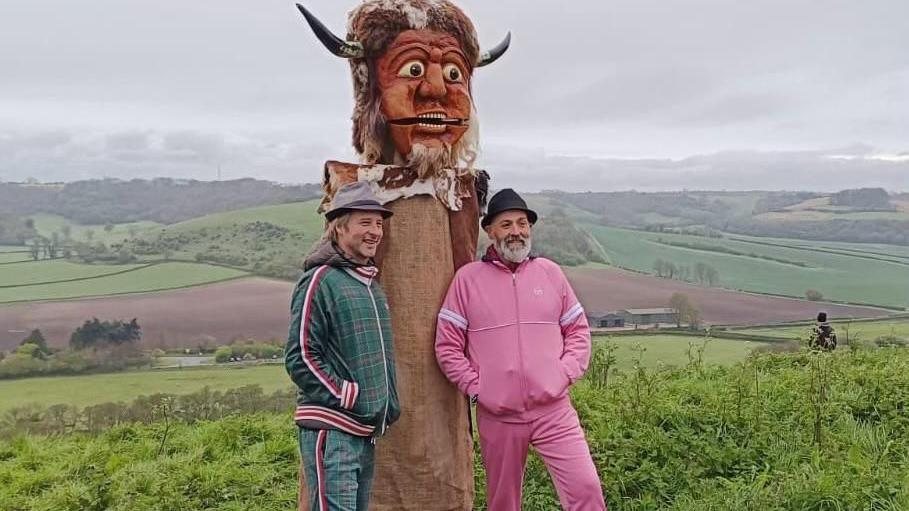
{"x":867,"y":215}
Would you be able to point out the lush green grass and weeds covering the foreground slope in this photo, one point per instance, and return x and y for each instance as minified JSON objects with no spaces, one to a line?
{"x":777,"y":432}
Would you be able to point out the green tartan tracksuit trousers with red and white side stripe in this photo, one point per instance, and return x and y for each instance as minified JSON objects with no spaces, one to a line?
{"x":339,"y":469}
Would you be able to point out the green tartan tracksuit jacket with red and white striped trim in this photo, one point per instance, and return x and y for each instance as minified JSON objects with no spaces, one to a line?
{"x":339,"y":351}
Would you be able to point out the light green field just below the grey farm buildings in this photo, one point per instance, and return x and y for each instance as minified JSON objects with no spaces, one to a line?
{"x":672,"y":350}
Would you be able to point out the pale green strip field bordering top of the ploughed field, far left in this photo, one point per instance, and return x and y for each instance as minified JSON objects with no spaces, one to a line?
{"x":153,"y":278}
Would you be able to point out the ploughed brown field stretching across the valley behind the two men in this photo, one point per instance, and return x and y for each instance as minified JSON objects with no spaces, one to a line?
{"x":259,"y":308}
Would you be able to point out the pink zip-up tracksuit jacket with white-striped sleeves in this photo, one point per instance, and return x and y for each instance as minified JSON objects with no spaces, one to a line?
{"x":525,"y":335}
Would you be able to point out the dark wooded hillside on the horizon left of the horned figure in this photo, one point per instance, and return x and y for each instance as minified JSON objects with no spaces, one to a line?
{"x":160,"y":200}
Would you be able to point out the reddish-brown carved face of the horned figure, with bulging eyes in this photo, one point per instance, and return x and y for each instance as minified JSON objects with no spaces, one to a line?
{"x":424,"y":80}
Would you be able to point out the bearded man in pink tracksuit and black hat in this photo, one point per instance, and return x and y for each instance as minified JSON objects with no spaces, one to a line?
{"x":512,"y":336}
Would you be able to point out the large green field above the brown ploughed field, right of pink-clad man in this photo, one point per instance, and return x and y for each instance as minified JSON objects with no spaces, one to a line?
{"x":845,"y":277}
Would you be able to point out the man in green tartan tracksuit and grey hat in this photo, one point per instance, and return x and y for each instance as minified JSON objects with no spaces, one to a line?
{"x":339,"y":354}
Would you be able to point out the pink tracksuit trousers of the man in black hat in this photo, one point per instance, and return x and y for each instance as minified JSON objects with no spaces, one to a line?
{"x":558,"y":439}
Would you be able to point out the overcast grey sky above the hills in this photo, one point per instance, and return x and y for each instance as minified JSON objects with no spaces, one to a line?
{"x":618,"y":94}
